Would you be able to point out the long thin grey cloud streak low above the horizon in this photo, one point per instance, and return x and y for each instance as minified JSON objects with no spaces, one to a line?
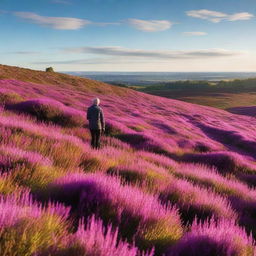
{"x":167,"y":54}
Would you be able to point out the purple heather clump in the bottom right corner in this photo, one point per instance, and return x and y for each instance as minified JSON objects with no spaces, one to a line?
{"x":221,"y":238}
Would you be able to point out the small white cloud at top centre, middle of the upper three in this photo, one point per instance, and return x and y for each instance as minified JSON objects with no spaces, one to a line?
{"x":150,"y":25}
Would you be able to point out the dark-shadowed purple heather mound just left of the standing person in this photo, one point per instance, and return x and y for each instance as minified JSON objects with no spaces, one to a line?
{"x":49,"y":110}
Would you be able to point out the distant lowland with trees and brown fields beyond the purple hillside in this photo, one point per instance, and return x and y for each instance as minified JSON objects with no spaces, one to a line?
{"x":229,"y":91}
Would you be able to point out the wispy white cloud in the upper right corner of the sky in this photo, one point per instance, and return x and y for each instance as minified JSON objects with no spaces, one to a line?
{"x":217,"y":17}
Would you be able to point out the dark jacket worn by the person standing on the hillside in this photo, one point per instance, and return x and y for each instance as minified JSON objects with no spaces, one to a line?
{"x":96,"y":118}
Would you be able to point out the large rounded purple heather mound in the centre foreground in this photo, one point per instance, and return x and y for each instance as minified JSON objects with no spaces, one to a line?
{"x":137,"y":214}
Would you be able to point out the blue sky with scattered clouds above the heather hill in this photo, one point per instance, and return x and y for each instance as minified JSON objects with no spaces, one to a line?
{"x":129,"y":35}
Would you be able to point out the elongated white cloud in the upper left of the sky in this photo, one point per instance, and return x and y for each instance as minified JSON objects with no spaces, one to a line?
{"x":62,"y":23}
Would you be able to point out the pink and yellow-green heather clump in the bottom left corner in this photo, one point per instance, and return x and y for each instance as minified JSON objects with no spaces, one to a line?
{"x":26,"y":227}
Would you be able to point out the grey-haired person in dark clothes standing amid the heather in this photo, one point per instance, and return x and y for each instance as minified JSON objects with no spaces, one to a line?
{"x":96,"y":120}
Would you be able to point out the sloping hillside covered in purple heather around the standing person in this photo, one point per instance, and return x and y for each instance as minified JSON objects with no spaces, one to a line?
{"x":171,"y":178}
